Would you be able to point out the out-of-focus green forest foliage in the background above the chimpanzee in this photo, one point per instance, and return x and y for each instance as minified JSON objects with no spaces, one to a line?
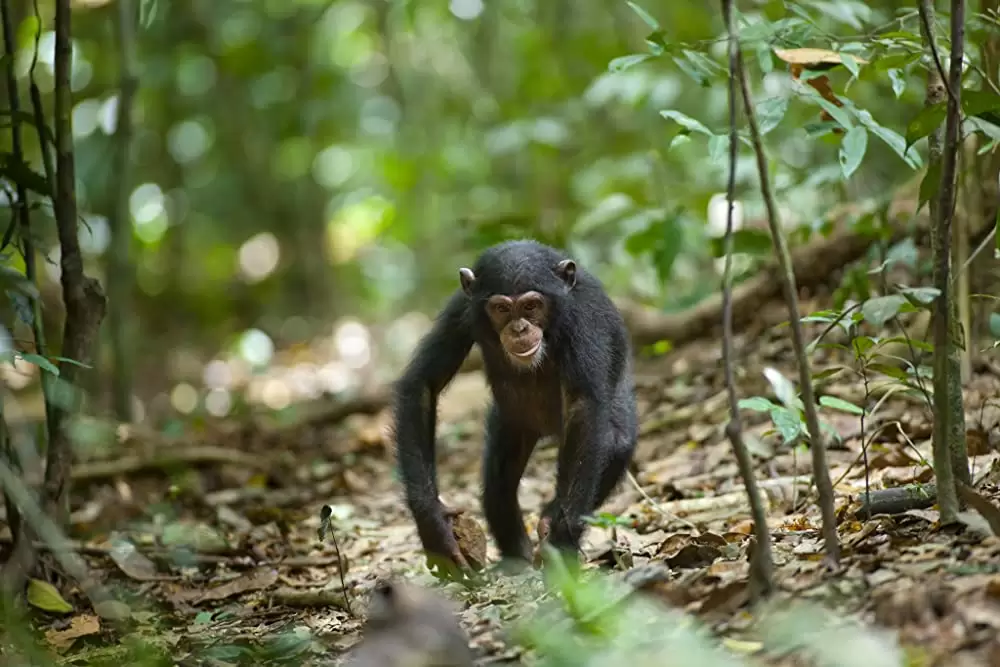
{"x":298,"y":160}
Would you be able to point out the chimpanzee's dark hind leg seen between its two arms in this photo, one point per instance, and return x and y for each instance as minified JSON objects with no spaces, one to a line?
{"x":508,"y":448}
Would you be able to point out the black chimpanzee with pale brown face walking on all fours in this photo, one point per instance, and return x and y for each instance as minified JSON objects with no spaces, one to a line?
{"x":558,"y":362}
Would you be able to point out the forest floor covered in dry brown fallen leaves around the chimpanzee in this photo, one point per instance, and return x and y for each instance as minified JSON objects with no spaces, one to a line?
{"x":255,"y":577}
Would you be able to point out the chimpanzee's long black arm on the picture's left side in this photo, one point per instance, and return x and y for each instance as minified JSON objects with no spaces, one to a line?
{"x":435,"y":362}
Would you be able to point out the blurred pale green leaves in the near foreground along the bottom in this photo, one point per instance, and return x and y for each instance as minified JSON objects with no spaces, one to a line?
{"x":595,"y":619}
